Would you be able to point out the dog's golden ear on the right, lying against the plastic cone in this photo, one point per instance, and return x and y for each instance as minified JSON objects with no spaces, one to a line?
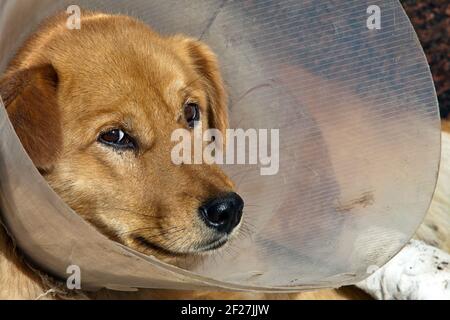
{"x":205,"y":63}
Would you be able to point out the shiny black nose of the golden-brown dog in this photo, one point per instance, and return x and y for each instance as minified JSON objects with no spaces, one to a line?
{"x":223,"y":213}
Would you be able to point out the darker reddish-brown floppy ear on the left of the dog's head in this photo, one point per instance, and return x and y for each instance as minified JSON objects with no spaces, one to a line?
{"x":31,"y":102}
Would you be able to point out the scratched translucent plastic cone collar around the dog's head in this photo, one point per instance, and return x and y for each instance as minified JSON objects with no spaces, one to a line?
{"x":359,"y":145}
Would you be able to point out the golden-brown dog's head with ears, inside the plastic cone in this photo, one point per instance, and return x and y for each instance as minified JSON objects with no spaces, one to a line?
{"x":95,"y":109}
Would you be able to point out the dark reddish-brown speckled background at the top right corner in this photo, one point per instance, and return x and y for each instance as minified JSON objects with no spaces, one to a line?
{"x":431,"y":19}
